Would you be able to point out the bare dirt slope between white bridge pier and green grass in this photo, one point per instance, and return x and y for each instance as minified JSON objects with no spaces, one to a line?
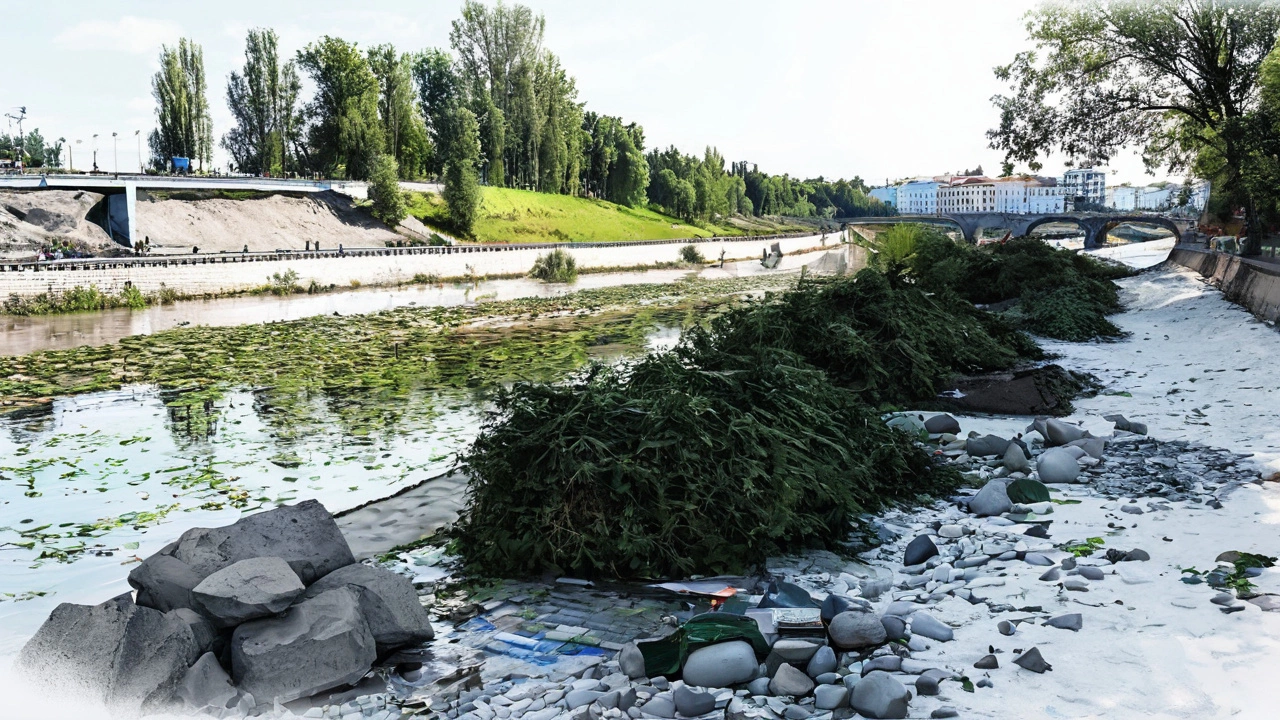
{"x":276,"y":222}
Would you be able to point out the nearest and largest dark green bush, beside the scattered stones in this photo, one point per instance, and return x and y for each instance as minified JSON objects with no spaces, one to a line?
{"x":684,"y":462}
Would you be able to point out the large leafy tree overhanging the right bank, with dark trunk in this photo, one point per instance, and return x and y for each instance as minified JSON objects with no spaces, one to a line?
{"x":1176,"y":78}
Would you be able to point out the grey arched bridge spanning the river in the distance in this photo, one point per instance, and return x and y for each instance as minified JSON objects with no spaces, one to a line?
{"x":971,"y":225}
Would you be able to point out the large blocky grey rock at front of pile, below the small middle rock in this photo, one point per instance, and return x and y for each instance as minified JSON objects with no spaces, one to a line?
{"x":319,"y":644}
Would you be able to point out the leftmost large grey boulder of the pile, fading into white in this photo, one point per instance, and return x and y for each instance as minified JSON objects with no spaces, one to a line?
{"x":126,"y":657}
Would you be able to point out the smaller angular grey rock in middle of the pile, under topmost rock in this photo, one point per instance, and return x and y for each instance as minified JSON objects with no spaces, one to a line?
{"x":249,"y":590}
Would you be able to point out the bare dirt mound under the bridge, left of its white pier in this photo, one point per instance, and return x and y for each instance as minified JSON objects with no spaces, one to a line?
{"x":36,"y":218}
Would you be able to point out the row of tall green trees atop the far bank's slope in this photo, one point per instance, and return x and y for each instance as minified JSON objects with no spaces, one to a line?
{"x":497,"y":108}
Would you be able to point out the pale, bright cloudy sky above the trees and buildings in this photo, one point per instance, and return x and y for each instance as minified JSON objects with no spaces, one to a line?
{"x":835,"y":89}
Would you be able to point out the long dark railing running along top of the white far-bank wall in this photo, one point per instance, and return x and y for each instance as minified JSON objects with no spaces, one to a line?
{"x":278,"y":256}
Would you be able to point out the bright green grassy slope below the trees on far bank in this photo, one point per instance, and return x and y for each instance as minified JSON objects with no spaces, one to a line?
{"x":520,"y":216}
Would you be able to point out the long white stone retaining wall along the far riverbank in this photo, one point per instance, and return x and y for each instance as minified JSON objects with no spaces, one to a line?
{"x":230,"y":274}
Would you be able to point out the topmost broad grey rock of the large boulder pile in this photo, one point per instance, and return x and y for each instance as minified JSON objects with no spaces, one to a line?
{"x":305,"y":536}
